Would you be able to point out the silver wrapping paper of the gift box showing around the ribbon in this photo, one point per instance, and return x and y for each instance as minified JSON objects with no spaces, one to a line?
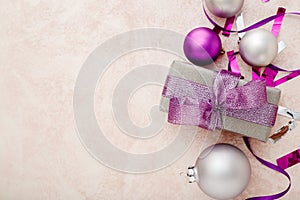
{"x":205,"y":77}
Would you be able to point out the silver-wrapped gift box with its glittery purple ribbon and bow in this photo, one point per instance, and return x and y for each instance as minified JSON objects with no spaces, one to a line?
{"x":190,"y":95}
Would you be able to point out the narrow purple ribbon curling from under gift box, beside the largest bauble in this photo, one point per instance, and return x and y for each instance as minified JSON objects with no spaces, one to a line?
{"x":273,"y":167}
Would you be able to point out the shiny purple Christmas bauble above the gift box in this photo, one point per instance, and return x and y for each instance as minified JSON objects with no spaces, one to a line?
{"x":202,"y":46}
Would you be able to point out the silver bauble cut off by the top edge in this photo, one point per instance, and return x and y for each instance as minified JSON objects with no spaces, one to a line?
{"x":224,"y":8}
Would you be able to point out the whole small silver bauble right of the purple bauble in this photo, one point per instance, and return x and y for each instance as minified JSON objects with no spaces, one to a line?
{"x":258,"y":47}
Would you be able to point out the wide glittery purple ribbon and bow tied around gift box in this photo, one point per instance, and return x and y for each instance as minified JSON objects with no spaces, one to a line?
{"x":195,"y":104}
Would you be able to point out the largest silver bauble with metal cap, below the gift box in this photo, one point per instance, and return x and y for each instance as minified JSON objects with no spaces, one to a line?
{"x":222,"y":171}
